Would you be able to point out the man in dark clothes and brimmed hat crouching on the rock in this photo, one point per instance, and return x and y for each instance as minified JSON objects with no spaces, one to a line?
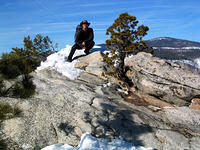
{"x":83,"y":40}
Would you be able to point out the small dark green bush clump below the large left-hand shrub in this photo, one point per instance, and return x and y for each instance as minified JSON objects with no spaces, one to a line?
{"x":24,"y":88}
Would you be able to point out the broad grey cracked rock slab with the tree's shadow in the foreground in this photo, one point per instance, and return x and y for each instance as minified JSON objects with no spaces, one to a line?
{"x":62,"y":110}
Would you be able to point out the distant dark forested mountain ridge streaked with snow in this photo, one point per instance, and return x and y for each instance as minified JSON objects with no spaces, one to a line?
{"x":172,"y":48}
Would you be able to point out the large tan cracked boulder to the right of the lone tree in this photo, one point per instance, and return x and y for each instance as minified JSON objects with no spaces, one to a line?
{"x":164,"y":80}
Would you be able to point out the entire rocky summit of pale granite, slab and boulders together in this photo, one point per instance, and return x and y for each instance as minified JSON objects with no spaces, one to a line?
{"x":63,"y":109}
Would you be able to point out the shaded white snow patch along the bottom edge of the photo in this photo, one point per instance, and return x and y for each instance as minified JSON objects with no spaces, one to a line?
{"x":88,"y":142}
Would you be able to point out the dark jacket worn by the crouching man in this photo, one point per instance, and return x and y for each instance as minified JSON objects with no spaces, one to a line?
{"x":86,"y":37}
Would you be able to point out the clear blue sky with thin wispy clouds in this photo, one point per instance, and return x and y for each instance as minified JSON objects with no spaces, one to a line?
{"x":58,"y":18}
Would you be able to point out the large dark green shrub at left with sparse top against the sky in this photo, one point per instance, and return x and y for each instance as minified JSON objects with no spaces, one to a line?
{"x":25,"y":60}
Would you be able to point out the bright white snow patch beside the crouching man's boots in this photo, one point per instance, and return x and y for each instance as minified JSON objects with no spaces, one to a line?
{"x":57,"y":61}
